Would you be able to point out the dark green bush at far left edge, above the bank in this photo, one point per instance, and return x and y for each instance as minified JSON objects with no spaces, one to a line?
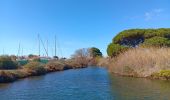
{"x":7,"y":63}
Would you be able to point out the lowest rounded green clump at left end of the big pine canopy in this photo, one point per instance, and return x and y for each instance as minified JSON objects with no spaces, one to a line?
{"x":115,"y":49}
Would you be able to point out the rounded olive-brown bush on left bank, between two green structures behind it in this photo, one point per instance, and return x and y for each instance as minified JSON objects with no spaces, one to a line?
{"x":35,"y":68}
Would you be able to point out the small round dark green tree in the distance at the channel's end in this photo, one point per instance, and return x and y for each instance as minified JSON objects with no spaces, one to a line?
{"x":95,"y":52}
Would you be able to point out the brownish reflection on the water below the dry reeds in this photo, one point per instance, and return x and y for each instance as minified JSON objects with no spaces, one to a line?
{"x":127,"y":88}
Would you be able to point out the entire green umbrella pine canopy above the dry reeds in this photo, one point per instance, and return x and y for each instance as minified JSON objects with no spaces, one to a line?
{"x":139,"y":37}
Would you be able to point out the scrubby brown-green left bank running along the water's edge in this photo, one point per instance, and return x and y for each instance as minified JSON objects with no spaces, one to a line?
{"x":35,"y":69}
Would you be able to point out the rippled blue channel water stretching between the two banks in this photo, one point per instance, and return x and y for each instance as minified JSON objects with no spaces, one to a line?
{"x":91,"y":83}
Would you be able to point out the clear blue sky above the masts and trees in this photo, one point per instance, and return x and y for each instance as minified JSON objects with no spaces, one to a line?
{"x":75,"y":23}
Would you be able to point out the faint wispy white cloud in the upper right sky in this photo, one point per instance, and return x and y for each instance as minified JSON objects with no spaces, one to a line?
{"x":152,"y":14}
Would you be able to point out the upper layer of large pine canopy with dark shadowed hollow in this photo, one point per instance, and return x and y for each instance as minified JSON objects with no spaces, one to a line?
{"x":136,"y":34}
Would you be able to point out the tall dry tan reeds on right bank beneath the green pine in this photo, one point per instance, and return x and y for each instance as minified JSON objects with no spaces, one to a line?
{"x":141,"y":62}
